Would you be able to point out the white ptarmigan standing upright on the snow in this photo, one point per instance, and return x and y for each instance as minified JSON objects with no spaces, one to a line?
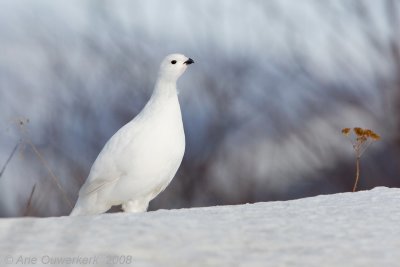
{"x":141,"y":158}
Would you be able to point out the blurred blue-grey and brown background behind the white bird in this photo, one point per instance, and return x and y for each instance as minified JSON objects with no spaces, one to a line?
{"x":263,"y":107}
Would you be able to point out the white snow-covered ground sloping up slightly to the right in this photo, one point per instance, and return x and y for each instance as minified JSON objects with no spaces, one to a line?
{"x":348,"y":229}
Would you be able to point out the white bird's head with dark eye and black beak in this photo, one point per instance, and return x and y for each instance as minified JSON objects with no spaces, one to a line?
{"x":173,"y":66}
